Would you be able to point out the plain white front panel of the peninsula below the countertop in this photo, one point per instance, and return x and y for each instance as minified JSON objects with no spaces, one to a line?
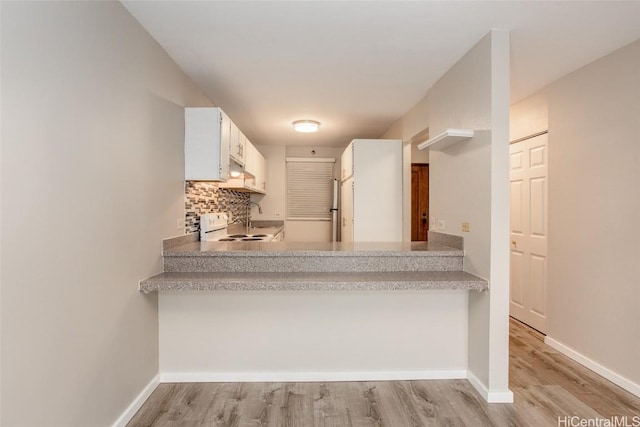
{"x":253,"y":336}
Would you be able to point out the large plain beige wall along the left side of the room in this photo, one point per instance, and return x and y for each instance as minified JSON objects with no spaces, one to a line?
{"x":92,"y":138}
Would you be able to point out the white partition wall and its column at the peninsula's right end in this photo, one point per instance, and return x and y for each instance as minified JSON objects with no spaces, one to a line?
{"x":468,"y":182}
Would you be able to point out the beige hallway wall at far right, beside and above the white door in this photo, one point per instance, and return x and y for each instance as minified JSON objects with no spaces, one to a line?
{"x":594,"y":176}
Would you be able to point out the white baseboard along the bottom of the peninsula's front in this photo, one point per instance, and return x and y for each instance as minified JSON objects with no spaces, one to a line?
{"x":188,"y":377}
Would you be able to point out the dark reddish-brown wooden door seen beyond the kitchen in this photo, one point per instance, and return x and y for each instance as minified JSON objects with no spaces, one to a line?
{"x":419,"y":201}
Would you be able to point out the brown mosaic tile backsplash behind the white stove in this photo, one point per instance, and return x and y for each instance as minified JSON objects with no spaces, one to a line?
{"x":206,"y":197}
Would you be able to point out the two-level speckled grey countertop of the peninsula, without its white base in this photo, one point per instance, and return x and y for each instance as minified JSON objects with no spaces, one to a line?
{"x":193,"y":265}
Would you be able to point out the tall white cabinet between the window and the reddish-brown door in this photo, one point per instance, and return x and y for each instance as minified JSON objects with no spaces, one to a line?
{"x":371,"y":191}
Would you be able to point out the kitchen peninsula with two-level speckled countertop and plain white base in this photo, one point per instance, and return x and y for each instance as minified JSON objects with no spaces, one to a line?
{"x":285,"y":311}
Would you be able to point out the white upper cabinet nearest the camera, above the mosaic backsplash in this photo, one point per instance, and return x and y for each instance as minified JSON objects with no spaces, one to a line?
{"x":207,"y":134}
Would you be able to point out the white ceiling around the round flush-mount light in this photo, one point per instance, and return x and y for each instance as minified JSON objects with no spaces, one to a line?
{"x":358,"y":66}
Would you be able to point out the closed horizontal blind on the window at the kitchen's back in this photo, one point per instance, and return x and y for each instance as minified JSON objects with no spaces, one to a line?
{"x":309,"y":188}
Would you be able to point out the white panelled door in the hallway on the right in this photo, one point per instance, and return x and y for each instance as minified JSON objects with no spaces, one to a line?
{"x":529,"y":230}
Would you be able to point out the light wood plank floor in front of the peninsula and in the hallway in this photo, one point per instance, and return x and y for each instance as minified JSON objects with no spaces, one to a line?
{"x":546,"y":385}
